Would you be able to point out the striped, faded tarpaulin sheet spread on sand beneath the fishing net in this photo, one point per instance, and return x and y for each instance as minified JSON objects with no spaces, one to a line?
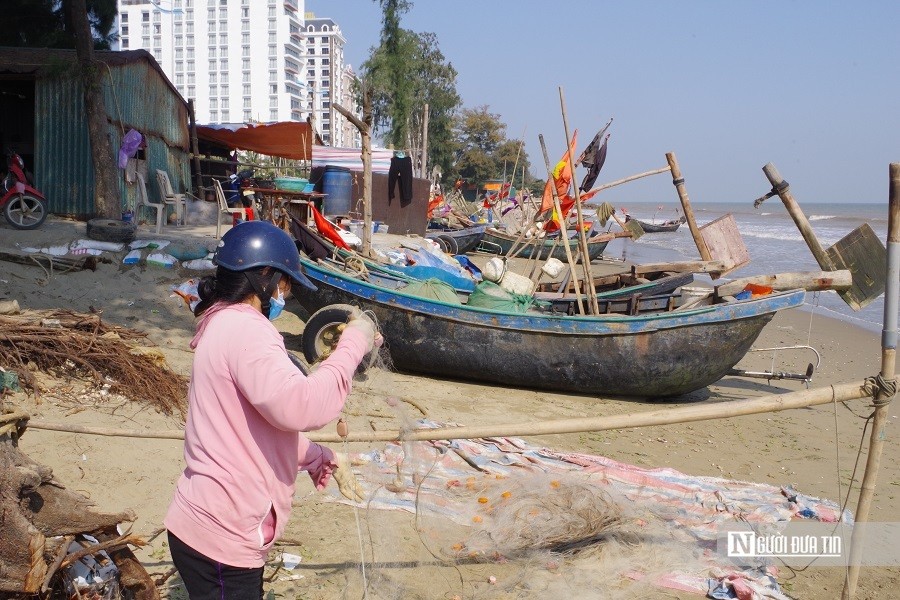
{"x":692,"y":507}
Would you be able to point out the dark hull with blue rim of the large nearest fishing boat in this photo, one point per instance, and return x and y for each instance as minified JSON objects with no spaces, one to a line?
{"x":659,"y":354}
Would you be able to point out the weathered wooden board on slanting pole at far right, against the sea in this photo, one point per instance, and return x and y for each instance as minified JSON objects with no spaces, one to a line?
{"x":865,"y":256}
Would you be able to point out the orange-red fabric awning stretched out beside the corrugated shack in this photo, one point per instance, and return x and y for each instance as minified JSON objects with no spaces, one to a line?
{"x":289,"y":139}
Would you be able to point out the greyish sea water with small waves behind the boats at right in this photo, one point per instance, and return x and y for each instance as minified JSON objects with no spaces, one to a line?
{"x":772,"y":239}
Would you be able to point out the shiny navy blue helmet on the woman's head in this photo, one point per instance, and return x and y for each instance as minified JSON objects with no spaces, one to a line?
{"x":255,"y":244}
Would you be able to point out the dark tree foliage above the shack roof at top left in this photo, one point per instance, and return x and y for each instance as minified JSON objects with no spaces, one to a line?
{"x":46,"y":24}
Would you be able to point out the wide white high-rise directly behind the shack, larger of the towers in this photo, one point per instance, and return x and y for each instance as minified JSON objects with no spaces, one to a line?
{"x":239,"y":60}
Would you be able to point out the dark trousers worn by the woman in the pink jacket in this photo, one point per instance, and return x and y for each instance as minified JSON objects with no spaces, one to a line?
{"x":206,"y":579}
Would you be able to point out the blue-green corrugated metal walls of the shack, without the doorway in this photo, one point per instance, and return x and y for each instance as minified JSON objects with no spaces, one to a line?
{"x":136,"y":97}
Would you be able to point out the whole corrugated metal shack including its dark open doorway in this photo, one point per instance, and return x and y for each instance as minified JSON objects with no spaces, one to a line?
{"x":42,"y":116}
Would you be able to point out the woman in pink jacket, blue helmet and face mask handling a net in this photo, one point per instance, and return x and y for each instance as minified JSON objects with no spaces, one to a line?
{"x":248,"y":404}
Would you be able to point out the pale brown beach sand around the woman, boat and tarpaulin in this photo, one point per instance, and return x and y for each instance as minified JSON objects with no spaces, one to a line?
{"x":813,"y":450}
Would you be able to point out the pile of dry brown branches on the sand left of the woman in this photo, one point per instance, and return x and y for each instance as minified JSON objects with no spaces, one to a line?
{"x":67,"y":344}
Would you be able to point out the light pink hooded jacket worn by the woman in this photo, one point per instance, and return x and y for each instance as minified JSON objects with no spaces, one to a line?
{"x":242,"y":446}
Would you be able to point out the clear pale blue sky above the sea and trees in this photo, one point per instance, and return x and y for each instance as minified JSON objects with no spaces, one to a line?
{"x":728,"y":86}
